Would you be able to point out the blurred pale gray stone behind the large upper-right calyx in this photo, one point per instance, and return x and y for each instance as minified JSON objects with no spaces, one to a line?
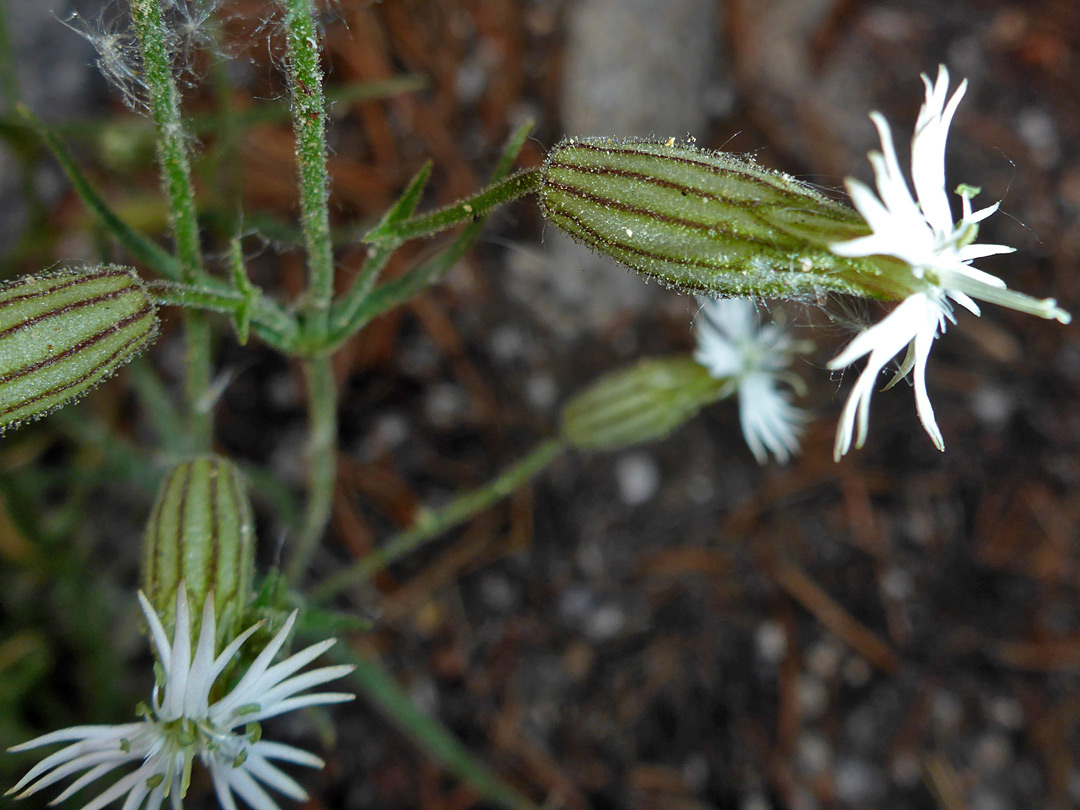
{"x":633,"y":69}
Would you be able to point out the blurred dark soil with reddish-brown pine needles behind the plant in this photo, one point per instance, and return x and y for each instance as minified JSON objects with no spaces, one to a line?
{"x":672,"y":627}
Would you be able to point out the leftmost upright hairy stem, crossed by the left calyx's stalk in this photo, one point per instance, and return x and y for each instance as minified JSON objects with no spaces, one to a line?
{"x":175,"y":168}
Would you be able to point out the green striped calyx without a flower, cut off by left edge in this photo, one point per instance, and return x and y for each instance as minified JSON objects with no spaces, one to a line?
{"x":63,"y":333}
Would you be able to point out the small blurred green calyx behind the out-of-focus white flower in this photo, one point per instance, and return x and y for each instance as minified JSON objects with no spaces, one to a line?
{"x":641,"y":403}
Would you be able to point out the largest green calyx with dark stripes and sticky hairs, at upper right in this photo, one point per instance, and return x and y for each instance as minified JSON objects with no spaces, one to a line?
{"x":708,"y":222}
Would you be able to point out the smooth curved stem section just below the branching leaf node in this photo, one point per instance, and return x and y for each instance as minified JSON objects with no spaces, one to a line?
{"x":322,"y":463}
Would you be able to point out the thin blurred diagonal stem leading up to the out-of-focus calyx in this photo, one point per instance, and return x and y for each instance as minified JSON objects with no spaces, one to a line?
{"x":431,"y":524}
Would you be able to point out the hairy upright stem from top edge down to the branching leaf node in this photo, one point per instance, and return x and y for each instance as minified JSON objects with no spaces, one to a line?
{"x":309,"y":125}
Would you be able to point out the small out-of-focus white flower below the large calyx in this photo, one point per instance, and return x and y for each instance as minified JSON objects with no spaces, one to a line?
{"x":733,"y":344}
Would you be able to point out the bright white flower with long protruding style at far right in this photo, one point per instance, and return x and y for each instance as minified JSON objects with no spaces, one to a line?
{"x":939,"y":252}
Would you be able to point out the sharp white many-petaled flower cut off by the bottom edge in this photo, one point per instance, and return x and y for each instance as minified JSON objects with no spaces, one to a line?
{"x":183,"y":725}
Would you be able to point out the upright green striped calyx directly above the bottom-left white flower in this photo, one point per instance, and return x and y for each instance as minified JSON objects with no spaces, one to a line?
{"x":201,"y":533}
